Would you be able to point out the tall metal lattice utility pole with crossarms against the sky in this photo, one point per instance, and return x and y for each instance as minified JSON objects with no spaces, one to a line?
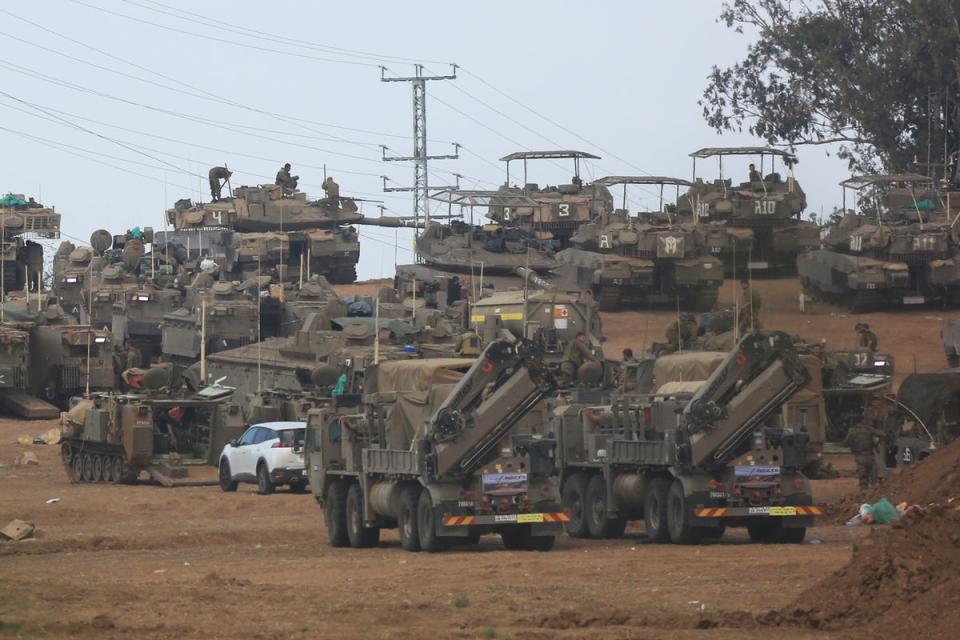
{"x":421,"y":187}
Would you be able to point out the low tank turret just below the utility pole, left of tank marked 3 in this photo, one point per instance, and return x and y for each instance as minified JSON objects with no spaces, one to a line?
{"x":488,"y":249}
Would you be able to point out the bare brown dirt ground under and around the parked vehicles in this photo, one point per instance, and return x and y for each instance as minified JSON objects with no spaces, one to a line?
{"x":146,"y":562}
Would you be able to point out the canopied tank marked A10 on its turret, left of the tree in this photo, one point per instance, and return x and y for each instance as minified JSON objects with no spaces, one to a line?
{"x":767,"y":205}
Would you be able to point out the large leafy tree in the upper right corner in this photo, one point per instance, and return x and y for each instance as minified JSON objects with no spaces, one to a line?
{"x":879,"y":77}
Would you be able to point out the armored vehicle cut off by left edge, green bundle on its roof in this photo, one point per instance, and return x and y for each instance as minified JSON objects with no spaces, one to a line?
{"x":20,"y":220}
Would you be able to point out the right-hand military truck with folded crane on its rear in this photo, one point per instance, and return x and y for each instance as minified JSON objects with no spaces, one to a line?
{"x":691,"y":463}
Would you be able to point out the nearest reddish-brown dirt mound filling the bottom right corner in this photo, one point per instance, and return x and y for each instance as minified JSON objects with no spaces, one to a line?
{"x":900,"y":582}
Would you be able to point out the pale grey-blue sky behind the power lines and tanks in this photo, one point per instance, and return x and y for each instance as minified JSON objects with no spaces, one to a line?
{"x":114,"y":109}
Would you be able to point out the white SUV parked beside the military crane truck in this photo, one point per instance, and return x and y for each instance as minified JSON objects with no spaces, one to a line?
{"x":269,"y":454}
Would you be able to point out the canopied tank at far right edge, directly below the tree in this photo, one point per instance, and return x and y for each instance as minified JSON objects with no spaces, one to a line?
{"x":897,"y":255}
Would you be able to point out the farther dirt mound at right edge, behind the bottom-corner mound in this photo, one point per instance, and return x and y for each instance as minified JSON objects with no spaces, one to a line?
{"x":935,"y":480}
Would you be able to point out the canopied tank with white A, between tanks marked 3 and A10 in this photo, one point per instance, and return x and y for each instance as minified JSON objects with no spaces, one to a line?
{"x":648,"y":258}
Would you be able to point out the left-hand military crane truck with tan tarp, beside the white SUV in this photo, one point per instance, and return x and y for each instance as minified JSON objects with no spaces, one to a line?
{"x":443,"y":463}
